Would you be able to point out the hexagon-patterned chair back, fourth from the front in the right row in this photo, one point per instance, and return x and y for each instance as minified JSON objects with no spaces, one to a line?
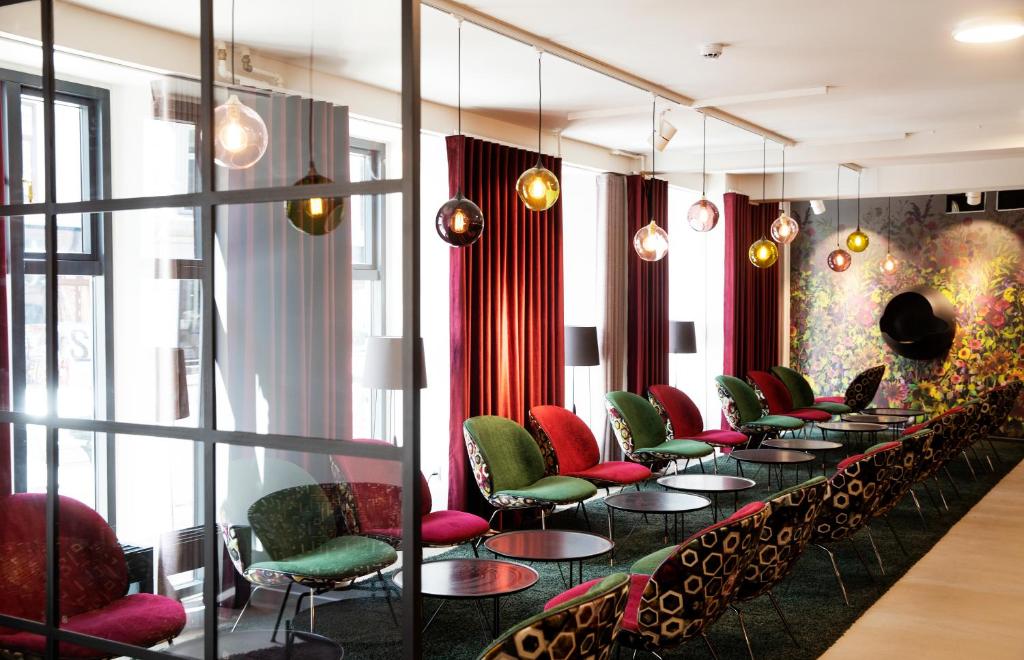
{"x":856,"y":492}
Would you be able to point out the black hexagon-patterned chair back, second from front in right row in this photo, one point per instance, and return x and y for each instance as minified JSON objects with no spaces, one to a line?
{"x":695,"y":585}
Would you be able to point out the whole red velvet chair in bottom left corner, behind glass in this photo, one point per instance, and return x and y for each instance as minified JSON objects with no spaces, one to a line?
{"x":94,"y":582}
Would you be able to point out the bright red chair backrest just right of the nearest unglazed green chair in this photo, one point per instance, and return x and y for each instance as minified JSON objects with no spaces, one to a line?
{"x":566,"y":442}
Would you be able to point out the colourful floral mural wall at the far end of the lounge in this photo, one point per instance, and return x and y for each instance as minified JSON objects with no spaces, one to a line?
{"x":975,"y":259}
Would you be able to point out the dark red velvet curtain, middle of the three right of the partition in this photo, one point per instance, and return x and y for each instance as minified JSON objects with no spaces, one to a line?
{"x":648,"y":343}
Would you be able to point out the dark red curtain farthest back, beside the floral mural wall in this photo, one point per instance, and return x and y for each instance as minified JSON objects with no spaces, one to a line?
{"x":752,"y":295}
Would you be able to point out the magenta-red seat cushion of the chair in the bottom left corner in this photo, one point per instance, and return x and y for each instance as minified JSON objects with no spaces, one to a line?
{"x":140,"y":620}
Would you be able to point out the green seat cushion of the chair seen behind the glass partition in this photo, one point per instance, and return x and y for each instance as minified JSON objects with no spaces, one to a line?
{"x":340,"y":559}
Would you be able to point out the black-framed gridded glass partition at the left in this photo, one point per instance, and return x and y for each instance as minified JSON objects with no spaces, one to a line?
{"x":184,"y":329}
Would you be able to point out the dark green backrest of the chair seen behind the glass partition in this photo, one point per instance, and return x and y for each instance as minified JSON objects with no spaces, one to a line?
{"x":293,"y":520}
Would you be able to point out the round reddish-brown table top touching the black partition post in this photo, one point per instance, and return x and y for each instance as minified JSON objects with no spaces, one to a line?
{"x":474,"y":579}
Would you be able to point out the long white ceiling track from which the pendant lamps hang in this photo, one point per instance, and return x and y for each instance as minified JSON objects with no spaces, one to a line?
{"x":546,"y":46}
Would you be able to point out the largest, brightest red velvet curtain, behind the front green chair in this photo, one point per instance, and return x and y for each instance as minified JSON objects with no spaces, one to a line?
{"x":506,"y":303}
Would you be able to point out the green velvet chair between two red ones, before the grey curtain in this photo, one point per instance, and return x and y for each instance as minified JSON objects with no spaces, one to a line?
{"x":641,"y":432}
